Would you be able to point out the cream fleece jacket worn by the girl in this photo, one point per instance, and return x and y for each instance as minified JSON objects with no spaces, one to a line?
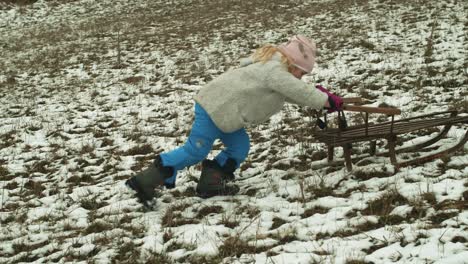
{"x":250,"y":95}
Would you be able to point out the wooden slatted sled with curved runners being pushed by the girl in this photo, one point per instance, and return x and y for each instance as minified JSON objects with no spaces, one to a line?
{"x":344,"y":136}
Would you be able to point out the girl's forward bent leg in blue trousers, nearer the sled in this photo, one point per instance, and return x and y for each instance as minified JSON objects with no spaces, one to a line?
{"x":237,"y":145}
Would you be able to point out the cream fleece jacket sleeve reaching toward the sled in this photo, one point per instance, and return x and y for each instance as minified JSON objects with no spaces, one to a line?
{"x":295,"y":90}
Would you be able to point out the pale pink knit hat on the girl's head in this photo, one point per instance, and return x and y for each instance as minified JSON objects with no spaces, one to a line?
{"x":301,"y":51}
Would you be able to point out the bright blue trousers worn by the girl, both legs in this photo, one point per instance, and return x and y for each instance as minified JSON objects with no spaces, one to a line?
{"x":200,"y":141}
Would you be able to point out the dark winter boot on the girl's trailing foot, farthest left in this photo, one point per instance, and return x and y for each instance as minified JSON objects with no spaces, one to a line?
{"x":144,"y":182}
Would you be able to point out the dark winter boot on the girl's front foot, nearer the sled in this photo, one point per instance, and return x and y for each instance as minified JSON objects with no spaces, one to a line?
{"x":213,"y":179}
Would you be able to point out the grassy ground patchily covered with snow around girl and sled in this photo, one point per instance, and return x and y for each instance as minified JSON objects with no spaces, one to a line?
{"x":91,"y":91}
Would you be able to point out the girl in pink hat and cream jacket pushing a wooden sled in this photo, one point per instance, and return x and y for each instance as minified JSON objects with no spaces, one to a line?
{"x":245,"y":96}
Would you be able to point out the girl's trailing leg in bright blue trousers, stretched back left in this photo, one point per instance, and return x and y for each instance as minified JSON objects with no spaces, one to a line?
{"x":198,"y":145}
